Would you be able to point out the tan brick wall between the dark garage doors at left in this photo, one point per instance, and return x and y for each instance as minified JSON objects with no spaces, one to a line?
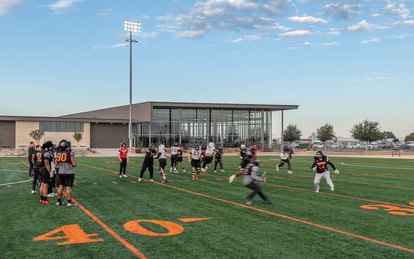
{"x":23,"y":128}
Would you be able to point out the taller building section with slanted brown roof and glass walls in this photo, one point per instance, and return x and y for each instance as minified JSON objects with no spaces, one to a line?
{"x":227,"y":125}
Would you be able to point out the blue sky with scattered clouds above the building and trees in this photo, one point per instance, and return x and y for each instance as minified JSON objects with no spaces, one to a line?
{"x":341,"y":61}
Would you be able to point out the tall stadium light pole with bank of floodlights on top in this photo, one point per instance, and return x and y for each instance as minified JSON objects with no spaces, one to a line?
{"x":131,"y":26}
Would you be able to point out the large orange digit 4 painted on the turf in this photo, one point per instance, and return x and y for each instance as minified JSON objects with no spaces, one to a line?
{"x":72,"y":233}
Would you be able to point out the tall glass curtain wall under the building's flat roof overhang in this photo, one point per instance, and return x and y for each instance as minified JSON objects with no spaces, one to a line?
{"x":224,"y":127}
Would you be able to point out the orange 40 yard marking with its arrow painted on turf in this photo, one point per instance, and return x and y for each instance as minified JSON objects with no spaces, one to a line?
{"x":74,"y":234}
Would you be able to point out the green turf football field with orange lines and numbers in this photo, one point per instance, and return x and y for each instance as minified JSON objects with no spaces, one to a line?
{"x":124,"y":218}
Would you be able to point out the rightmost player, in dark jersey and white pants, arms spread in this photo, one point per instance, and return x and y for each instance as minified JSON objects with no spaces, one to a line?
{"x":320,"y":166}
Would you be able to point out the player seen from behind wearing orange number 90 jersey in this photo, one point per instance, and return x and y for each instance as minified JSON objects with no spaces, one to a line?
{"x":65,"y":161}
